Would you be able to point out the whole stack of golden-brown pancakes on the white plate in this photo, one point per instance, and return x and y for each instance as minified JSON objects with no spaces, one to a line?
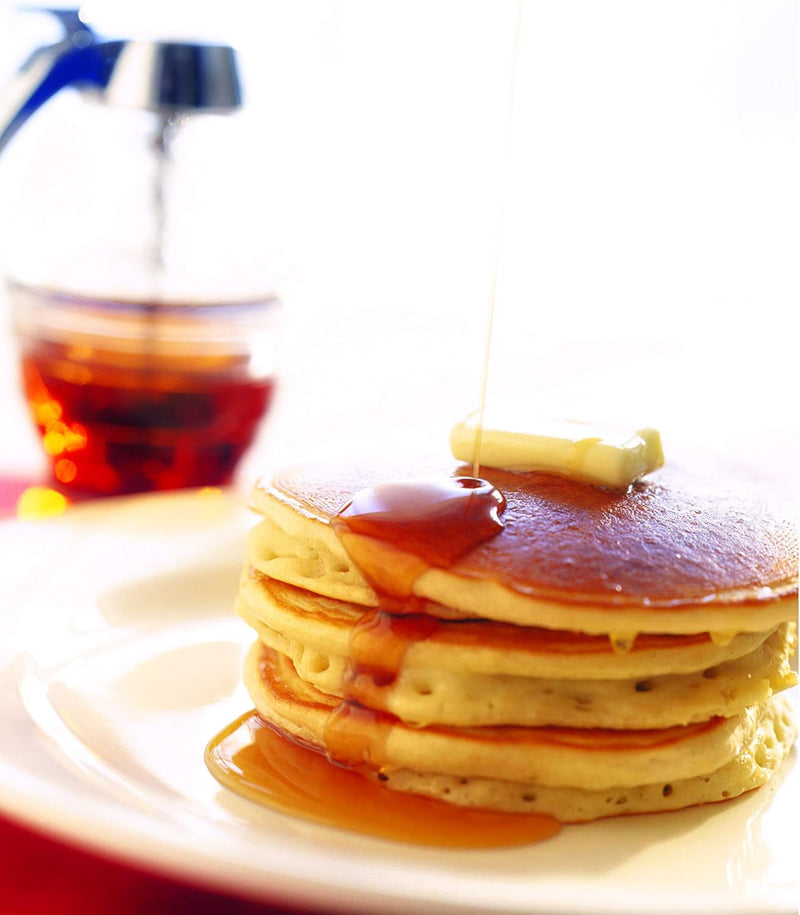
{"x":604,"y":653}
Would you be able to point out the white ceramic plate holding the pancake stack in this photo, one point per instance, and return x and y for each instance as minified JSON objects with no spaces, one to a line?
{"x":119,"y":659}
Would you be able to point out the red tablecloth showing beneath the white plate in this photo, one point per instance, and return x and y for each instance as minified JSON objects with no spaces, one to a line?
{"x":40,"y":876}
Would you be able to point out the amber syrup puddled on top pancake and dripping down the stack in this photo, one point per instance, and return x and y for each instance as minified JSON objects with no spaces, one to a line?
{"x":395,"y":532}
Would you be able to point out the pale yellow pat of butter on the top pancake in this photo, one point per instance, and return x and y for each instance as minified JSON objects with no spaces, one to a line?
{"x":603,"y":455}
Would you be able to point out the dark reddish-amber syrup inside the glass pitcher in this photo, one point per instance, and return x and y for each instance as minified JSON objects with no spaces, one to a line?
{"x":111,"y":430}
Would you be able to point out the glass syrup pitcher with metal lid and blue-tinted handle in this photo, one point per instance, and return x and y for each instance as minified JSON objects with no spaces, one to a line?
{"x":134,"y":262}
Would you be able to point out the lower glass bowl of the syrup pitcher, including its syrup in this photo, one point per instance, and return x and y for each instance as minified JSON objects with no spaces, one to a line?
{"x":130,"y":397}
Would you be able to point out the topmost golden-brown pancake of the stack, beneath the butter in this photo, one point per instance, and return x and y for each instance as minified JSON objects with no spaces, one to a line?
{"x":682,"y":553}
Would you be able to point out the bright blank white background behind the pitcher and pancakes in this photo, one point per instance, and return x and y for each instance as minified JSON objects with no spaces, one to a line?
{"x":649,"y":181}
